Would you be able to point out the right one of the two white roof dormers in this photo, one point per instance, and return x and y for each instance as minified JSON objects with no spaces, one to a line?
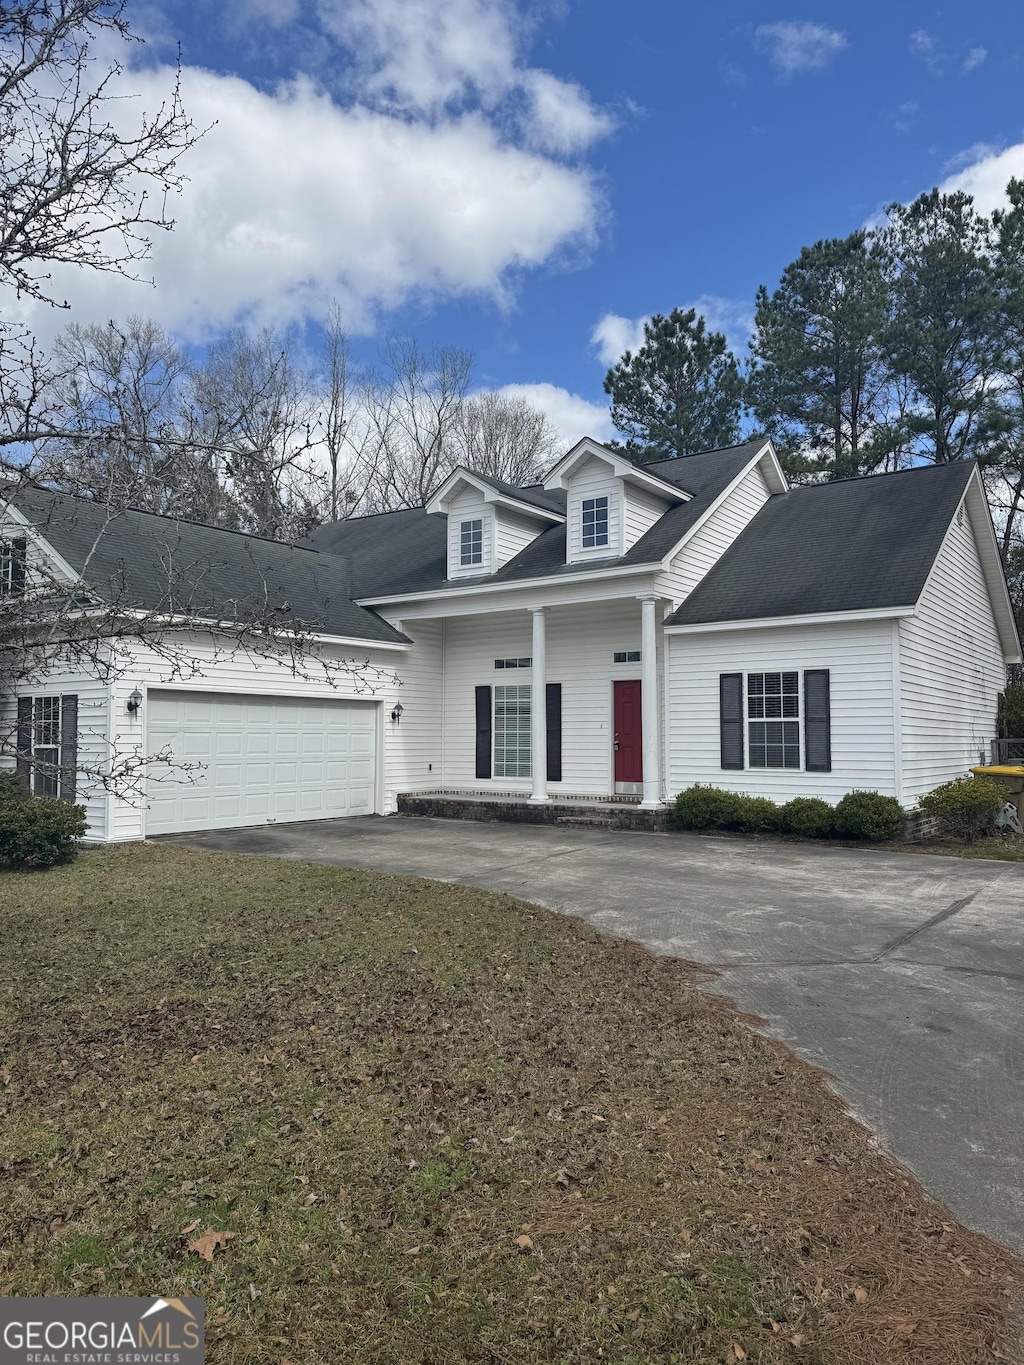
{"x":611,"y":502}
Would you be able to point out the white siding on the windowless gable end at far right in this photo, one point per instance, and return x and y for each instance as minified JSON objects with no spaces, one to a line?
{"x":951,"y":670}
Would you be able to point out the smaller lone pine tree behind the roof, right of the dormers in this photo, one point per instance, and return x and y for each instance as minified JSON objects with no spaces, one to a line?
{"x":679,"y":392}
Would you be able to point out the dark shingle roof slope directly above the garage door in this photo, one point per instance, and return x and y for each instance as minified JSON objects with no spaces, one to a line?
{"x":159,"y":564}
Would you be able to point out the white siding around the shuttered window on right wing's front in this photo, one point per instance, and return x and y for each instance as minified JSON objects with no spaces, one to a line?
{"x":859,"y":657}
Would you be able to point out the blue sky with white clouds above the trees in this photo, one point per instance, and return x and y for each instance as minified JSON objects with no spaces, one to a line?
{"x":529,"y":181}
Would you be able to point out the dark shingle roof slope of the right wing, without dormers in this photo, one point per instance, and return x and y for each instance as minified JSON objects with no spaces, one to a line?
{"x":847,"y":547}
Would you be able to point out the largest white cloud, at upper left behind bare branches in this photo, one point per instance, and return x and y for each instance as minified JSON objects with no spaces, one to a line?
{"x":294,"y":200}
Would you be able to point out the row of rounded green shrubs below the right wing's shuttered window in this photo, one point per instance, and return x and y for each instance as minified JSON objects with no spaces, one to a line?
{"x":859,"y":816}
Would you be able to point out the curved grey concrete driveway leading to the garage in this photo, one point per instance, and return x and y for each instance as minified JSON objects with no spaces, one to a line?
{"x":902,"y":975}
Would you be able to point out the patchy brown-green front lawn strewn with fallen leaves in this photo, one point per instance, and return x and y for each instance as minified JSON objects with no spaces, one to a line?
{"x":439,"y":1125}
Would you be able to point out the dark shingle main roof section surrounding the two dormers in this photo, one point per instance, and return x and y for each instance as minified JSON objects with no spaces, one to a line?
{"x":406,"y":552}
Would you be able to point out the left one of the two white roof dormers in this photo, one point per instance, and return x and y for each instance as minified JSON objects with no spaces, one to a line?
{"x":488,"y":522}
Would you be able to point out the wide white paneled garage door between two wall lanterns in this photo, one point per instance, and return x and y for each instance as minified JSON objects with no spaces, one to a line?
{"x":263,"y":760}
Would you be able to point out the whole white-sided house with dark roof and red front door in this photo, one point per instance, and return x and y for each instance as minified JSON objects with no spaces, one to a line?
{"x":618,"y":631}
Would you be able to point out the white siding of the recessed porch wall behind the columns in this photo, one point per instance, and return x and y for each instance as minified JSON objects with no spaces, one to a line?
{"x":581,"y":645}
